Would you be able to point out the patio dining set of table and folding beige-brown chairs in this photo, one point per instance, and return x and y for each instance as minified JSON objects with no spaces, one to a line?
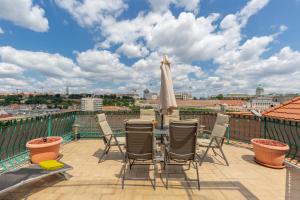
{"x":179,"y":144}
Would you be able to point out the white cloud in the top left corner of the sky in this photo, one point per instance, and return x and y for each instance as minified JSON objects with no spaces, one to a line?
{"x":24,"y":13}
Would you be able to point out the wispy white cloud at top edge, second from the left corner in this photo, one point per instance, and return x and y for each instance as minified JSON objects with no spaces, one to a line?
{"x":92,"y":12}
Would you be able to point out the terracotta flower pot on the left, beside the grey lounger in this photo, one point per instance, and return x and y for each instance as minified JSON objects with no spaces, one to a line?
{"x":41,"y":150}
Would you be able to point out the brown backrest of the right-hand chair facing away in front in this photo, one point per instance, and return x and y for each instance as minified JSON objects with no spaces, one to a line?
{"x":183,"y":139}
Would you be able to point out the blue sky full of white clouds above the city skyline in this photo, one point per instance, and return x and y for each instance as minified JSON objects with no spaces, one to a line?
{"x":215,"y":46}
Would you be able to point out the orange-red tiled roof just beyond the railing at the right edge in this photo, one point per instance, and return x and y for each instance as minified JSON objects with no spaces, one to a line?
{"x":289,"y":110}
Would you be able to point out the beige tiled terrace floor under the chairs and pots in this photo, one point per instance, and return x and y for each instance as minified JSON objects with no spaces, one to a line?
{"x":243,"y":179}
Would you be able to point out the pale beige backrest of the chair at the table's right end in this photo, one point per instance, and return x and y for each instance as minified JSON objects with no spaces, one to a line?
{"x":220,"y":126}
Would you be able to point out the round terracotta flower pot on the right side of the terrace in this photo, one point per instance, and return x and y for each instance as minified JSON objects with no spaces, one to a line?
{"x":270,"y":153}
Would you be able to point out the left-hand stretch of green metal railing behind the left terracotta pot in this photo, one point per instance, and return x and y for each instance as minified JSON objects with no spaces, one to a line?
{"x":15,"y":133}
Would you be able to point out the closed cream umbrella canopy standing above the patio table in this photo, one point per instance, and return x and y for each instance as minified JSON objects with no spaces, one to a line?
{"x":167,"y":97}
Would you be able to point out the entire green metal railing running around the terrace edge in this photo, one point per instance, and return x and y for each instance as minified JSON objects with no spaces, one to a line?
{"x":15,"y":133}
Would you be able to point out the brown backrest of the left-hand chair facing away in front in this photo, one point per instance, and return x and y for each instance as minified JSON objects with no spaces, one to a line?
{"x":140,"y":139}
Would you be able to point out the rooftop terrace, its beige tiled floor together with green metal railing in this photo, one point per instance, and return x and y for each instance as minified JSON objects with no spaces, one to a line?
{"x":243,"y":179}
